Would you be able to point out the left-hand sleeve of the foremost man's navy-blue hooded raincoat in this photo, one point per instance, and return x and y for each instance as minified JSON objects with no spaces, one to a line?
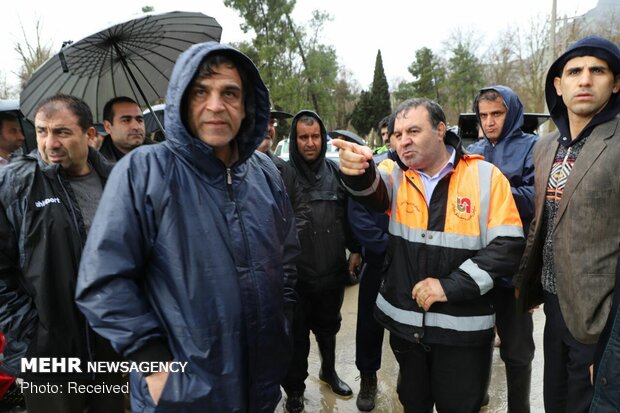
{"x":110,"y":289}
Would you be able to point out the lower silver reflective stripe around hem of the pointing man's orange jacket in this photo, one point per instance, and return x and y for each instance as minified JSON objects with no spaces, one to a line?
{"x":430,"y":319}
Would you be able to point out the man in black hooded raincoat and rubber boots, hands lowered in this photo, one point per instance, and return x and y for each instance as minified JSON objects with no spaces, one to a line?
{"x":322,"y":265}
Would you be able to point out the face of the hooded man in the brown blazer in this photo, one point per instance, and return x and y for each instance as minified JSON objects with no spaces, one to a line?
{"x":586,"y":84}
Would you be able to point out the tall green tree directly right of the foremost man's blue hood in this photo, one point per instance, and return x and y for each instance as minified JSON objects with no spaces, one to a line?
{"x":301,"y":73}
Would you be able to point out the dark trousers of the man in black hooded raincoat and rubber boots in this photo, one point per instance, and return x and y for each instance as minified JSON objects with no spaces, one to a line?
{"x":318,"y":312}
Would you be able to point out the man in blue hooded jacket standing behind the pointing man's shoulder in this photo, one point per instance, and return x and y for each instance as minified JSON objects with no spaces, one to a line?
{"x":500,"y":116}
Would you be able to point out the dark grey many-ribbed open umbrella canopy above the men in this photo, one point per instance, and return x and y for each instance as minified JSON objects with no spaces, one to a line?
{"x":132,"y":59}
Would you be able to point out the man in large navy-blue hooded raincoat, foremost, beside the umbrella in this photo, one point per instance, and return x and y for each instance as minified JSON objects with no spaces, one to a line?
{"x":193,"y":248}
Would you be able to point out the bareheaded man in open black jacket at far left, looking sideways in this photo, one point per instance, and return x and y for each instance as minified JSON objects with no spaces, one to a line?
{"x":47,"y":203}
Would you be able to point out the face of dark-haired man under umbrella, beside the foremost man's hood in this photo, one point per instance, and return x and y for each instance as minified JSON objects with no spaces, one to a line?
{"x":127,"y":129}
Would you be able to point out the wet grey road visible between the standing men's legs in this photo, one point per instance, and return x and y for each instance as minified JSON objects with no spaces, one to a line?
{"x":319,"y":399}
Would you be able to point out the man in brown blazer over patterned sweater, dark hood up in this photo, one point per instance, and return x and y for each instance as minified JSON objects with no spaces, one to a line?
{"x":573,"y":245}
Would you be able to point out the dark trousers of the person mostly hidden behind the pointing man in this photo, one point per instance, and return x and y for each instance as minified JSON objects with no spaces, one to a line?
{"x":369,"y":333}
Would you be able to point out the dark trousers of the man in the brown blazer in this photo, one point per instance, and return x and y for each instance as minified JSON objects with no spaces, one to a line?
{"x":566,"y":381}
